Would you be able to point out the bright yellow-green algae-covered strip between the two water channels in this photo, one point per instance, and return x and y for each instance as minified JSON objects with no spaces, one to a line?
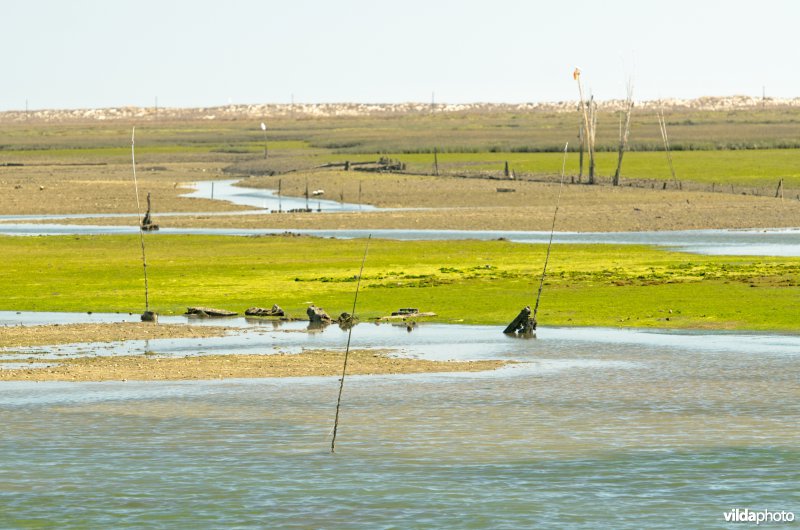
{"x":478,"y":282}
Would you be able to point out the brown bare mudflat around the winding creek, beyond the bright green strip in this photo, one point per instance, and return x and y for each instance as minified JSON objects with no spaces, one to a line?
{"x":434,"y":203}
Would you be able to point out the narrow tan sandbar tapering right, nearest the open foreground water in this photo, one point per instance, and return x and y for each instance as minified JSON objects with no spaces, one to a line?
{"x":308,"y":363}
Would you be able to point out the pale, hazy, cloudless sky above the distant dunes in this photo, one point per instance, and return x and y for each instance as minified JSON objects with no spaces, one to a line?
{"x":66,"y":54}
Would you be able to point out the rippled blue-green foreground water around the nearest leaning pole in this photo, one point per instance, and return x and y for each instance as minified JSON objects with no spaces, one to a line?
{"x":604,"y":428}
